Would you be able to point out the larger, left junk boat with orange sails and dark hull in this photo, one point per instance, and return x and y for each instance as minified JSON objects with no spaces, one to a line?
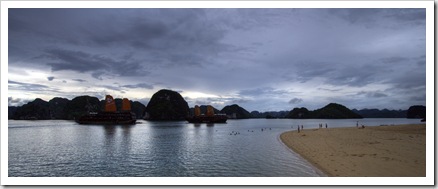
{"x":110,"y":115}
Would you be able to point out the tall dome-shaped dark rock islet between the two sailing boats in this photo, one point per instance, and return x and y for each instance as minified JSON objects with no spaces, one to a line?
{"x":167,"y":105}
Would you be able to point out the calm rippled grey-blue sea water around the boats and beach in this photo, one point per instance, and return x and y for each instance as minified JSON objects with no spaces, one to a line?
{"x":238,"y":148}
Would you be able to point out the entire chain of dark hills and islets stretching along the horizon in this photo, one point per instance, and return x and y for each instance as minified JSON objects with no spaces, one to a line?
{"x":170,"y":105}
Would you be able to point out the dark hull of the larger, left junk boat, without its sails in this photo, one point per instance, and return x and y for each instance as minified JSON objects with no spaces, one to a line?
{"x":106,"y":118}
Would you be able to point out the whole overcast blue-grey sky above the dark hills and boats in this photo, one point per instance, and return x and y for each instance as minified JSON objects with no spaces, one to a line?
{"x":261,"y":59}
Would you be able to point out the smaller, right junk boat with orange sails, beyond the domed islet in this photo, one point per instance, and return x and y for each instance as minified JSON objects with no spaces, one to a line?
{"x":209,"y":117}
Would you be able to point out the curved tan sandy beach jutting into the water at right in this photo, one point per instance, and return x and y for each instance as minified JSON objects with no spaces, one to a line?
{"x":380,"y":151}
